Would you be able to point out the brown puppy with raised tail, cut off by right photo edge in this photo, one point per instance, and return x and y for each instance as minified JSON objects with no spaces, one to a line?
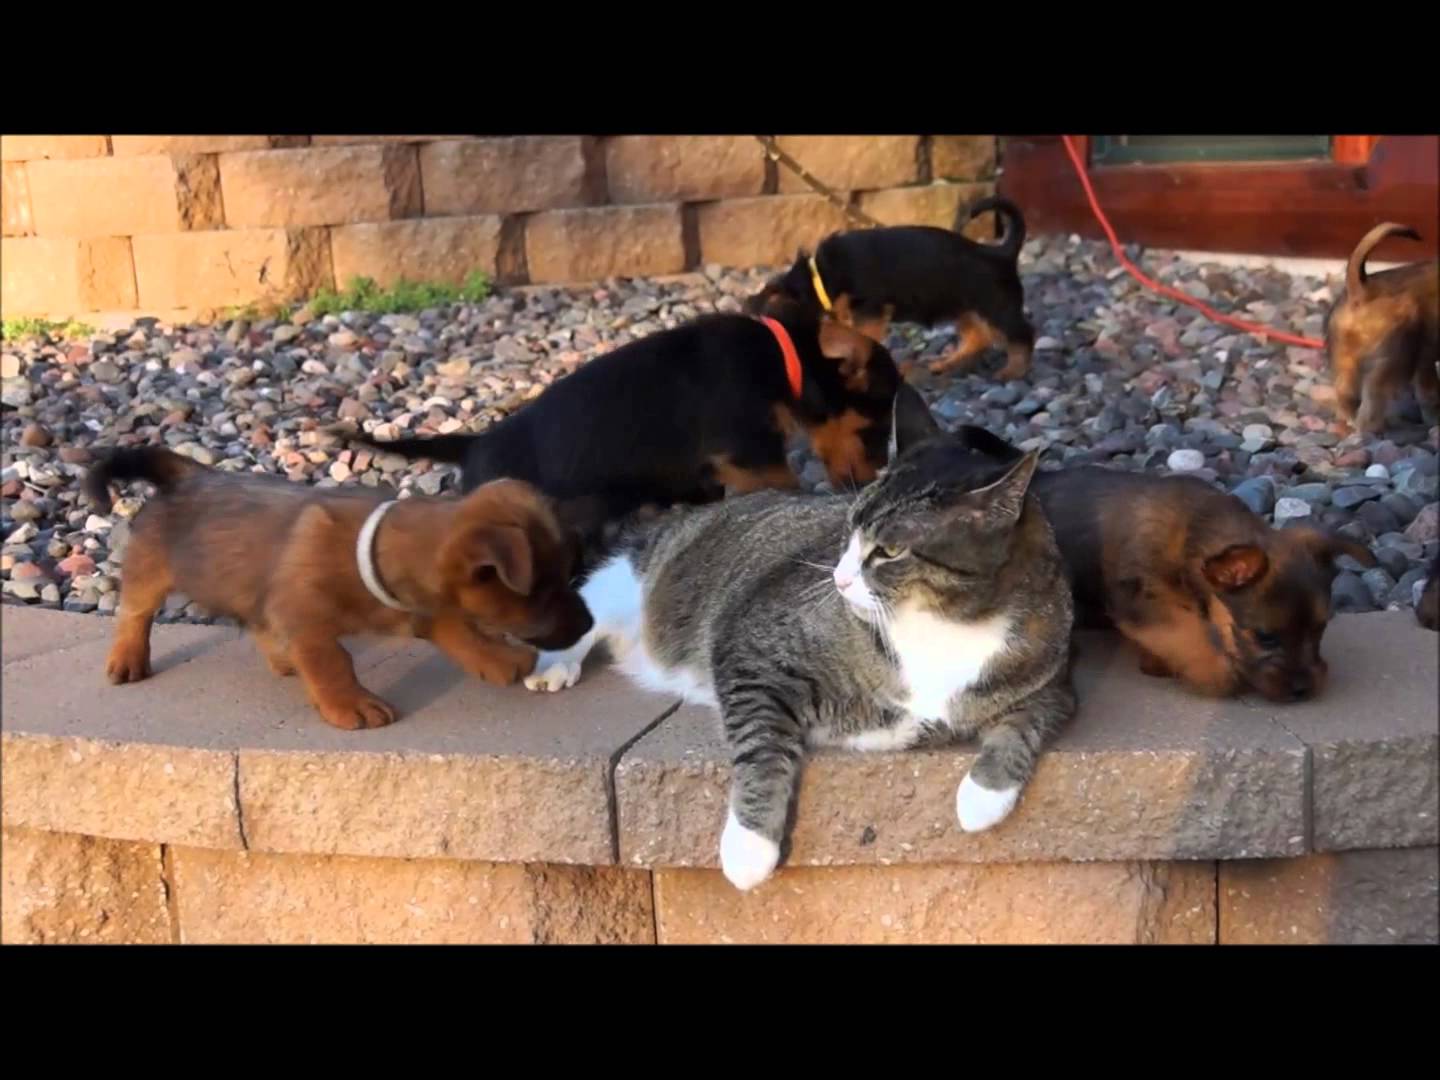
{"x":1385,"y":333}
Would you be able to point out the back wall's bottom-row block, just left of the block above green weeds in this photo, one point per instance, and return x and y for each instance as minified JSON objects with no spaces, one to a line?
{"x":231,"y":267}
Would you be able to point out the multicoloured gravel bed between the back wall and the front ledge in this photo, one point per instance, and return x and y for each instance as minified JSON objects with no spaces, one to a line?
{"x":1121,"y":377}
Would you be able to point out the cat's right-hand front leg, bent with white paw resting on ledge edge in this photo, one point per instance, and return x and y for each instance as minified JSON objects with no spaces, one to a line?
{"x":1010,"y":750}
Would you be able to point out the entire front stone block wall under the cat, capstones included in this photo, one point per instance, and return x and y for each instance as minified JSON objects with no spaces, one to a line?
{"x":593,"y":817}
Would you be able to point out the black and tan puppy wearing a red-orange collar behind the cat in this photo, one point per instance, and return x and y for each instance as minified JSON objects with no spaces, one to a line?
{"x":686,"y":414}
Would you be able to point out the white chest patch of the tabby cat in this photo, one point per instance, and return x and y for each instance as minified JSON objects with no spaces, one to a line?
{"x":940,"y":659}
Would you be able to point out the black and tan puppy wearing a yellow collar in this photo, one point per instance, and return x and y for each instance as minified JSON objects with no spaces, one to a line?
{"x":919,"y":274}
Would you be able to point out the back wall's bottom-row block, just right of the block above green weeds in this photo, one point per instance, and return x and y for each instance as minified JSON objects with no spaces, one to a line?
{"x":587,"y":246}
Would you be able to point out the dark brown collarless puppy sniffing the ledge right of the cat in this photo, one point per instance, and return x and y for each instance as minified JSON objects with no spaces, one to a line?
{"x":1205,"y":588}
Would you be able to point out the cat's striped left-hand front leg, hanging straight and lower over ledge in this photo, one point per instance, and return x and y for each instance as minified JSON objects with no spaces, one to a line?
{"x":768,"y":745}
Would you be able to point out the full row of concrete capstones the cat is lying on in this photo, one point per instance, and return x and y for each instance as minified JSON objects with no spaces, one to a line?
{"x":218,"y":754}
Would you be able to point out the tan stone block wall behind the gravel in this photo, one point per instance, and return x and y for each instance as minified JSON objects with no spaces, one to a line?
{"x":184,"y":225}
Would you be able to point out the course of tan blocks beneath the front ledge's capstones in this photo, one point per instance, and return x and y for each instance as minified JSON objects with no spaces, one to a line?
{"x":70,"y":889}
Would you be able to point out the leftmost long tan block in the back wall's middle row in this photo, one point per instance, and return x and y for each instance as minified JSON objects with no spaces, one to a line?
{"x":126,"y":197}
